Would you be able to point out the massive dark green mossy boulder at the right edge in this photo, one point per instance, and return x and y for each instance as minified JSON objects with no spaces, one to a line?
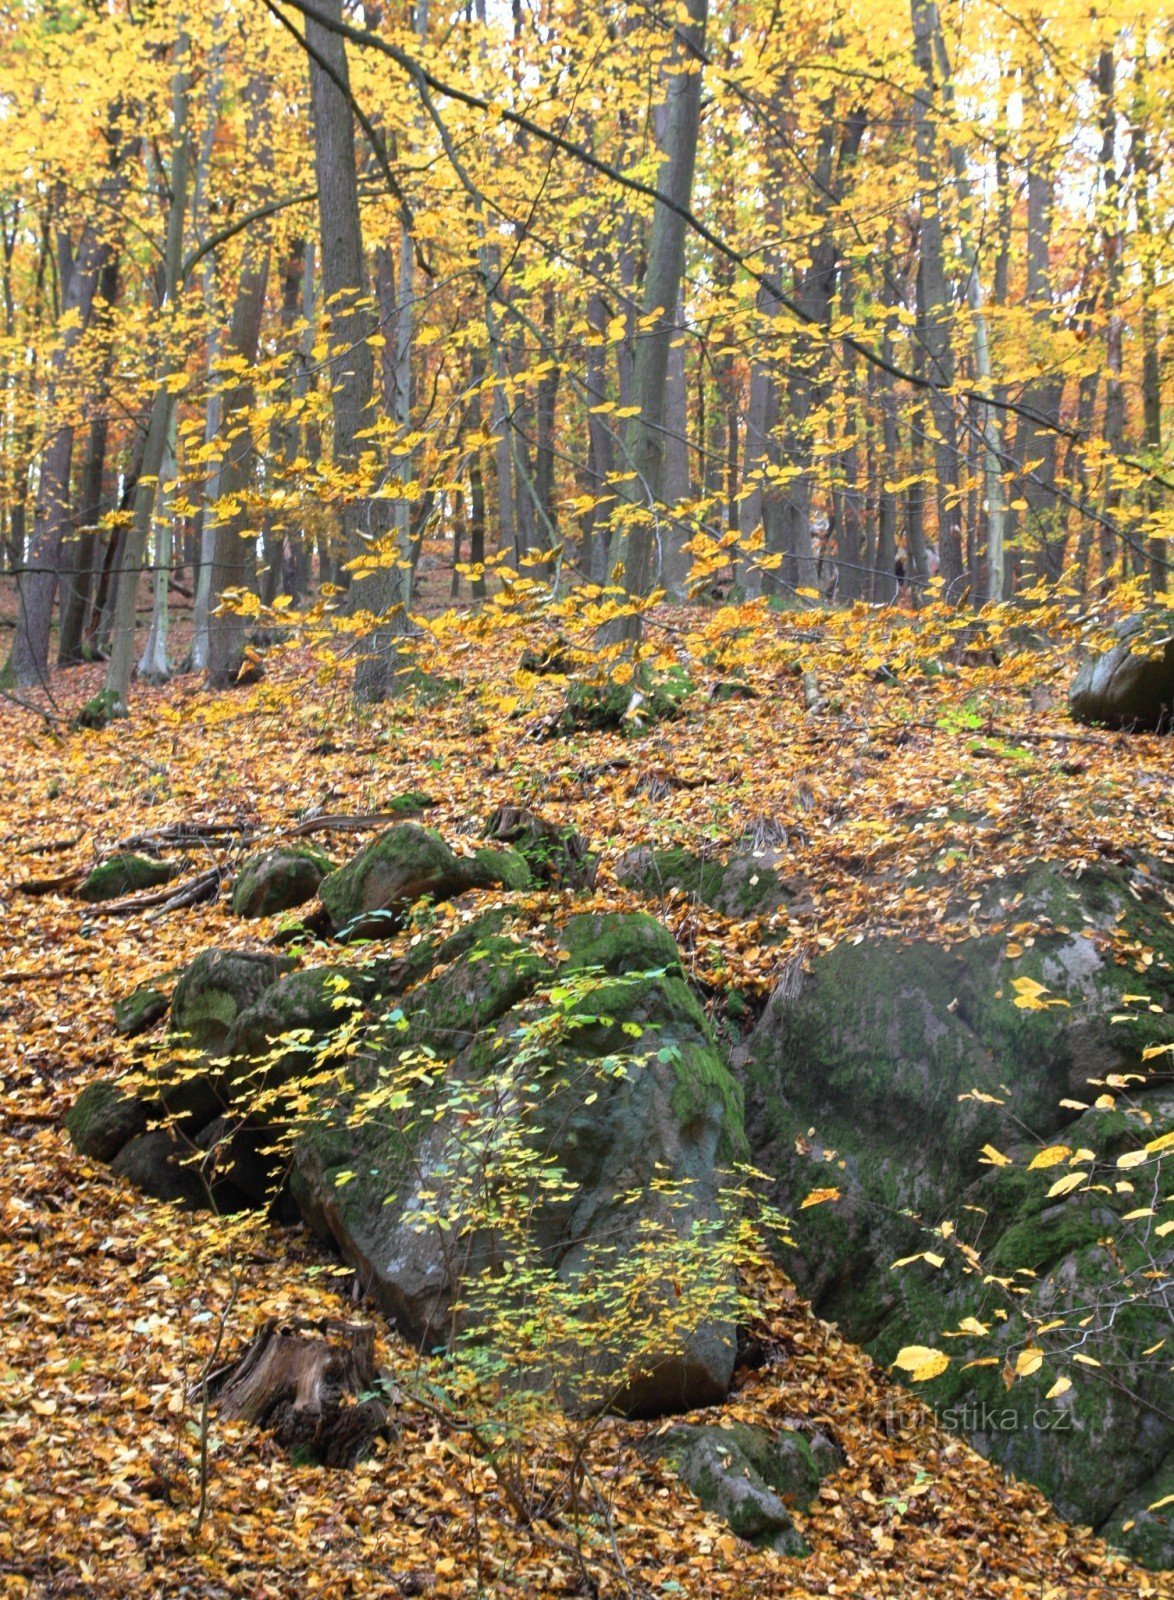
{"x":887,"y":1070}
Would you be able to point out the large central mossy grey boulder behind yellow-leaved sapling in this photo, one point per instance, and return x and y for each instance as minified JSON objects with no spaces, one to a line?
{"x":629,"y":1105}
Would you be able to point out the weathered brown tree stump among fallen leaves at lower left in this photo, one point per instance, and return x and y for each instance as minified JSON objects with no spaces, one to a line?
{"x":308,"y":1383}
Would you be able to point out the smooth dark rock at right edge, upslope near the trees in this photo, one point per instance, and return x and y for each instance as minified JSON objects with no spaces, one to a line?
{"x":1132,"y":686}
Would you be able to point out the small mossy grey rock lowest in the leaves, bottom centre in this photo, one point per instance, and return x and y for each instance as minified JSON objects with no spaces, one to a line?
{"x":749,"y":1476}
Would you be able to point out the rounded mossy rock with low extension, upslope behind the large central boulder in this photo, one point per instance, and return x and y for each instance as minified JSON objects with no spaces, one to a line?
{"x":370,"y":895}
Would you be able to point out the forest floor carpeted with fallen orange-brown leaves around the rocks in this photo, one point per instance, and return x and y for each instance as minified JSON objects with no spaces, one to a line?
{"x":917,"y":742}
